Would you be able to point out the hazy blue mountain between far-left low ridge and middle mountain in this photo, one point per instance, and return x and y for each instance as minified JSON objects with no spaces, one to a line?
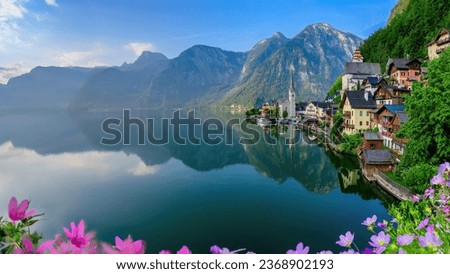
{"x":118,"y":87}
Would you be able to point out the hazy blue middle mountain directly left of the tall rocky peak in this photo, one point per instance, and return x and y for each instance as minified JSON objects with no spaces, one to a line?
{"x":200,"y":72}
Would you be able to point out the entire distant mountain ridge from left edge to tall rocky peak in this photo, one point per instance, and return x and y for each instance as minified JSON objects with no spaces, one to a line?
{"x":199,"y":76}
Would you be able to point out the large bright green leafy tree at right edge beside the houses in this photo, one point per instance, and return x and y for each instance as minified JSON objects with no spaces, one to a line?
{"x":429,"y":117}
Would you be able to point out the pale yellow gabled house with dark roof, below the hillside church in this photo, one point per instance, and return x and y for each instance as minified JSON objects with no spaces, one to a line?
{"x":356,"y":106}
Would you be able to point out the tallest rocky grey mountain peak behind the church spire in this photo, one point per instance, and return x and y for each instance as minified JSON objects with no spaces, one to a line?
{"x":318,"y":54}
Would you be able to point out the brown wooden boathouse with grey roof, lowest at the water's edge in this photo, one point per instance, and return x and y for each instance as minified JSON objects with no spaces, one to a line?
{"x":377,"y":160}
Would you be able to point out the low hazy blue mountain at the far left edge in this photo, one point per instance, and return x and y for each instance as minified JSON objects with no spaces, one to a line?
{"x":43,"y":87}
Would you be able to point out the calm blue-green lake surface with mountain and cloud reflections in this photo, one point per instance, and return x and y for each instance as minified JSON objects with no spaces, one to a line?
{"x":262,"y":197}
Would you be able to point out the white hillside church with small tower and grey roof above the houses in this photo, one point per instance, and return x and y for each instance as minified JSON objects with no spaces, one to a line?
{"x":357,"y":71}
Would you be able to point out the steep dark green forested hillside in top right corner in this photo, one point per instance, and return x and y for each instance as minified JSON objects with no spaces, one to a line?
{"x":409,"y":32}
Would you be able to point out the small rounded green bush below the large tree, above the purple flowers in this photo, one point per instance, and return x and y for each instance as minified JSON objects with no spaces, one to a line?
{"x":417,"y":177}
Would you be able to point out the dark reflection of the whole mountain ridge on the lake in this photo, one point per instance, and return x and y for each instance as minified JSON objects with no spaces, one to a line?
{"x":310,"y":165}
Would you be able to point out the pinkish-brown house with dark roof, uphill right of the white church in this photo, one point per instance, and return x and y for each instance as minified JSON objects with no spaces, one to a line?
{"x":403,"y":72}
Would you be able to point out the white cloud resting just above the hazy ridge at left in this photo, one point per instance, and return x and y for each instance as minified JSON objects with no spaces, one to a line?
{"x":88,"y":58}
